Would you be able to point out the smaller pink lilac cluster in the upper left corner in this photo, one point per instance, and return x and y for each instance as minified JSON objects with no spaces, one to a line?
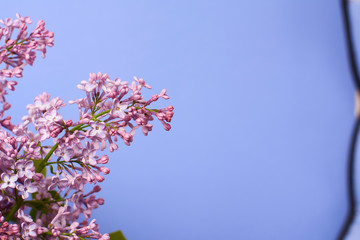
{"x":17,"y":52}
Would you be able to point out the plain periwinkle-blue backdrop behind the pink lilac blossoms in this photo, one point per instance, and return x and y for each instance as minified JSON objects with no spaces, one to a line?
{"x":263,"y":101}
